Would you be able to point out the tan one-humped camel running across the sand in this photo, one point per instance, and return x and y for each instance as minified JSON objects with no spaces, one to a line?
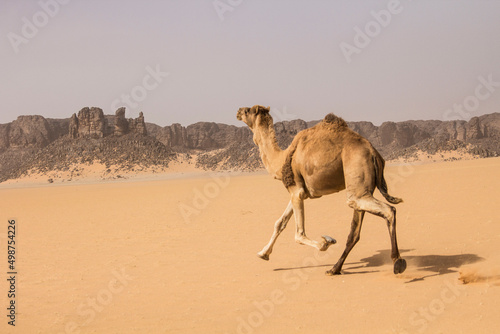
{"x":322,"y":160}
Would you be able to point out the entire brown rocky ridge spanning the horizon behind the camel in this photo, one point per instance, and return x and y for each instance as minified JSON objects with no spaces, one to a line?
{"x":35,"y":142}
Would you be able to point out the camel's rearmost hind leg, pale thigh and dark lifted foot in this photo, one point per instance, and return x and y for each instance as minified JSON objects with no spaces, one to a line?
{"x":372,"y":205}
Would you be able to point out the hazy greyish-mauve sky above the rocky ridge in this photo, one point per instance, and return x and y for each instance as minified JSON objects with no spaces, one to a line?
{"x":200,"y":60}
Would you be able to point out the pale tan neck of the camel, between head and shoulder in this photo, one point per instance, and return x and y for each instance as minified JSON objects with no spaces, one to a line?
{"x":272,"y":156}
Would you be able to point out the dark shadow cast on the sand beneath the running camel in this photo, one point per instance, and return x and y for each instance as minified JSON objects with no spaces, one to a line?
{"x":432,"y":265}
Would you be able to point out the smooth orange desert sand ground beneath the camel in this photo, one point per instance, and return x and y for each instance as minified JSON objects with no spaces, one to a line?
{"x":178,"y":255}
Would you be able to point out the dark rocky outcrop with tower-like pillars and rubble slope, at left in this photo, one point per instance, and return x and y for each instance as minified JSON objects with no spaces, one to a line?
{"x":36,"y":143}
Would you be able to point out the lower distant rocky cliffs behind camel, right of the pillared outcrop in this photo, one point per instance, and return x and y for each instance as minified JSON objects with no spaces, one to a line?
{"x":479,"y":137}
